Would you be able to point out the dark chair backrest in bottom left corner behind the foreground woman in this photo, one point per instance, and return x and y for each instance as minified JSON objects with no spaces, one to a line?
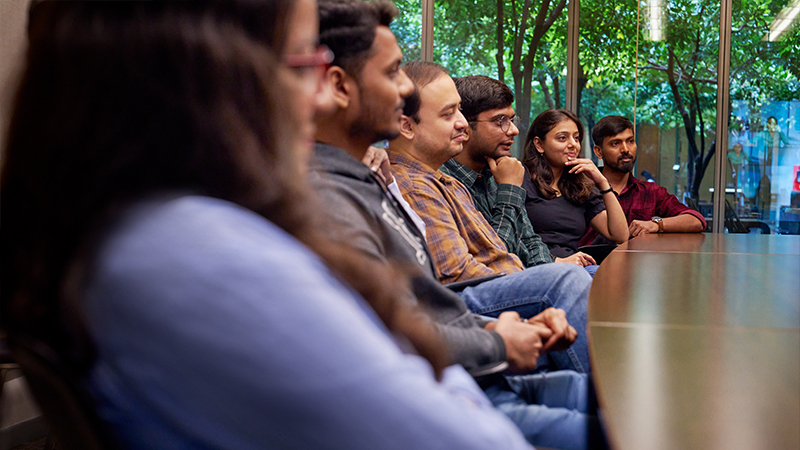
{"x":62,"y":396}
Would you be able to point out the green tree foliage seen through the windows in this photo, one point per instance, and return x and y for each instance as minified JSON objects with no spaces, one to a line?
{"x":675,"y":79}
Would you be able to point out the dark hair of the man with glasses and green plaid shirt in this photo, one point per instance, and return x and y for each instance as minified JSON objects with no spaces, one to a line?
{"x":480,"y":93}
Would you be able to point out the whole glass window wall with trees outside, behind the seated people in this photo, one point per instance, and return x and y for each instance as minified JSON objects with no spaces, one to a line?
{"x":655,"y":62}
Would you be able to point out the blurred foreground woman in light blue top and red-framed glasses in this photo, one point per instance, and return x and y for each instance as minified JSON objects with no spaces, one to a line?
{"x":156,"y":235}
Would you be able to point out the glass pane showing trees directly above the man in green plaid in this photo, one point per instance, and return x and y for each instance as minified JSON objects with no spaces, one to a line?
{"x":469,"y":36}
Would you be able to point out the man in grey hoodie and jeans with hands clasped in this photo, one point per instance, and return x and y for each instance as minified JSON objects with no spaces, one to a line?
{"x":368,"y":88}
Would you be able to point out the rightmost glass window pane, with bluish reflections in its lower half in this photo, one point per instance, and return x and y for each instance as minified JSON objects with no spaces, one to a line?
{"x":763,"y":155}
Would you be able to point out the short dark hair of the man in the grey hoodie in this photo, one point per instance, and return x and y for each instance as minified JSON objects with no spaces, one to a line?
{"x":347,"y":27}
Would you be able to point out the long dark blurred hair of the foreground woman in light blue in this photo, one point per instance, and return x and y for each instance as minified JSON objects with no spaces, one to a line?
{"x":120,"y":100}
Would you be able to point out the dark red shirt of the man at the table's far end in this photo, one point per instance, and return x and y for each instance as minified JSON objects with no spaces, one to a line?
{"x":641,"y":200}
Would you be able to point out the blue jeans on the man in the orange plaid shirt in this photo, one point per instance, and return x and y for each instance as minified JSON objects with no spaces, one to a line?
{"x":530,"y":292}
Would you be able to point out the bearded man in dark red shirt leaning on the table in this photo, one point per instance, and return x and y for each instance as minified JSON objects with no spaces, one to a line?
{"x":648,"y":207}
